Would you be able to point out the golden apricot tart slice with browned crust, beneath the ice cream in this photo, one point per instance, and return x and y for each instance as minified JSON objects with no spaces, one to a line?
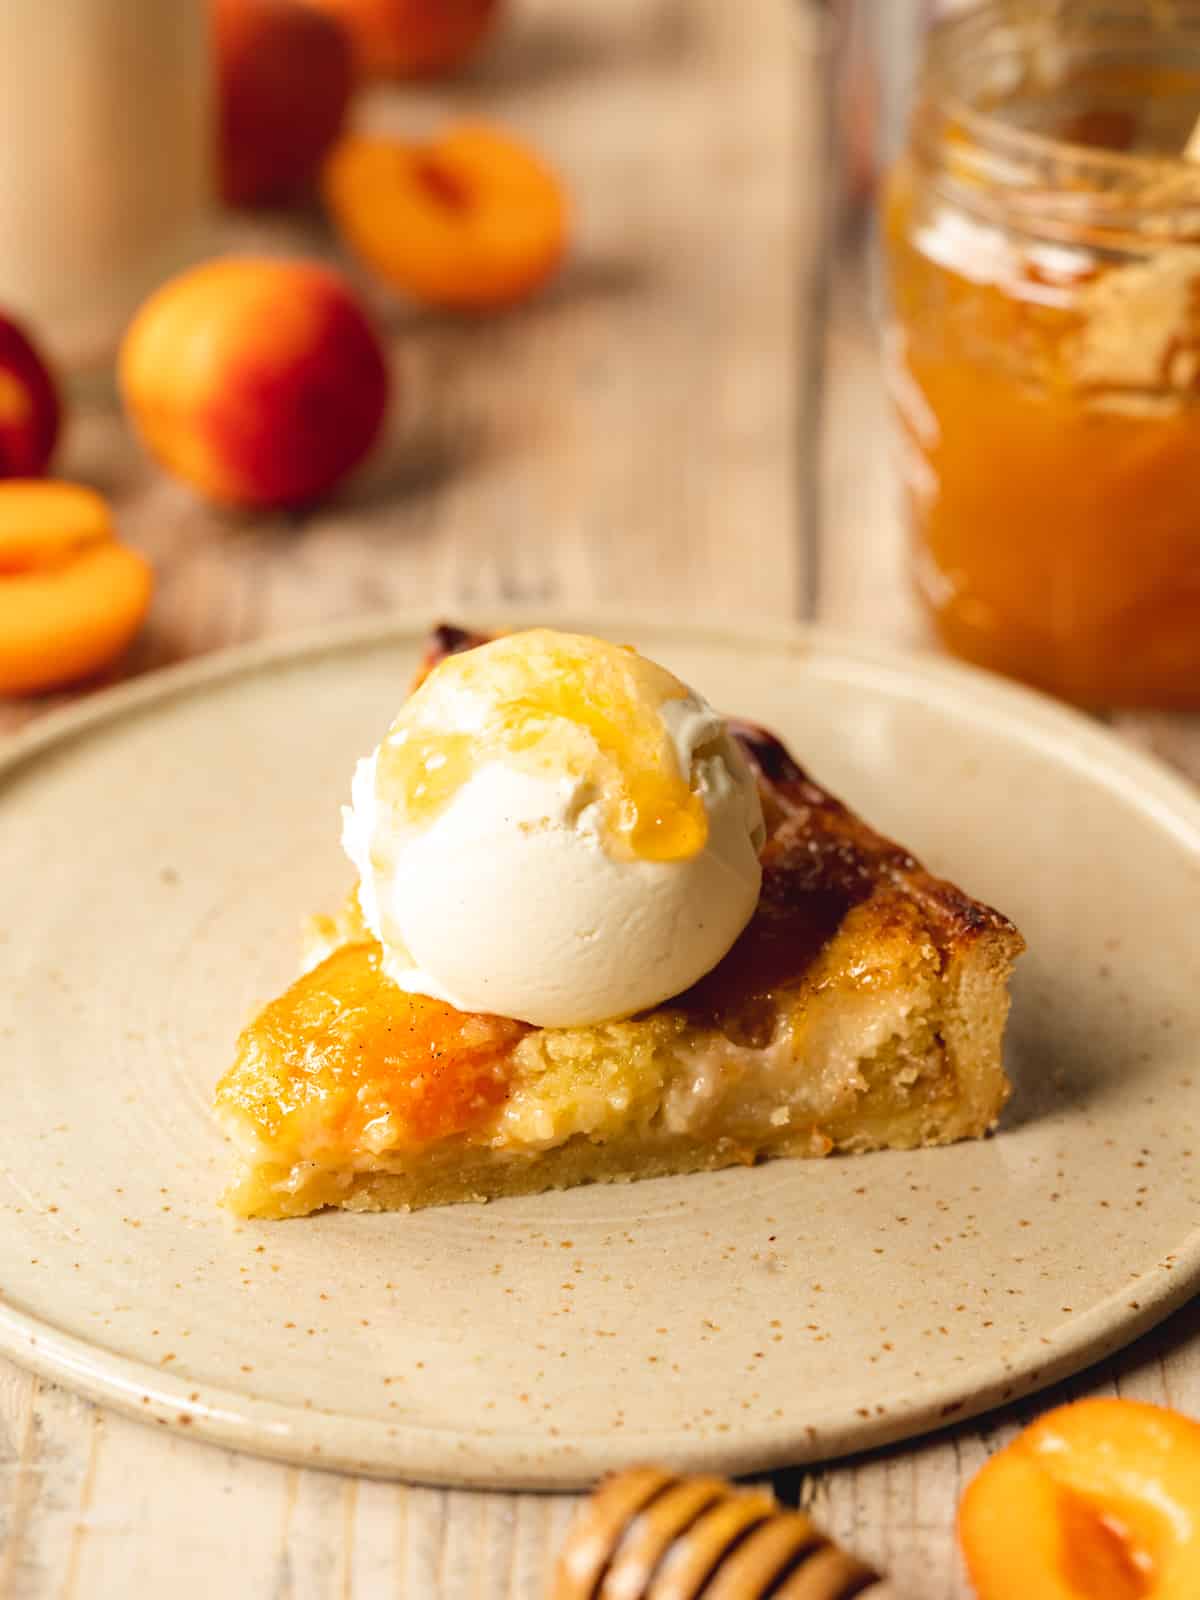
{"x":862,"y":1009}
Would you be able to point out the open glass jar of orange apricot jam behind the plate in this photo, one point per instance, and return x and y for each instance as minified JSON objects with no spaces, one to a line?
{"x":1042,"y":247}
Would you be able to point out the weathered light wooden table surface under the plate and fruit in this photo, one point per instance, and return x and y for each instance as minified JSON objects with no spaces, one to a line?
{"x":631,"y":439}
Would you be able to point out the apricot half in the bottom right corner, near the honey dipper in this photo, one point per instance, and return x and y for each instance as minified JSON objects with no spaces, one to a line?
{"x":1095,"y":1502}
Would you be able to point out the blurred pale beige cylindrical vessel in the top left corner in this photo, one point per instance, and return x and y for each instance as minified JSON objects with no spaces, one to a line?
{"x":106,"y":153}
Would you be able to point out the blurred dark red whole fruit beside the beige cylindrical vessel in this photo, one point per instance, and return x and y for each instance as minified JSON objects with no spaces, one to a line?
{"x":286,"y":78}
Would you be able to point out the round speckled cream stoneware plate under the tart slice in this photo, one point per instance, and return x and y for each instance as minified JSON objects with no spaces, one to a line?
{"x":159,"y":849}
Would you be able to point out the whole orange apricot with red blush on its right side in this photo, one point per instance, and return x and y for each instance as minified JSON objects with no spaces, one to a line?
{"x":260,"y":383}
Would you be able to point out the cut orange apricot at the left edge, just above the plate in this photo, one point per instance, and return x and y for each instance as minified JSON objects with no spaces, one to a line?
{"x":71,"y":596}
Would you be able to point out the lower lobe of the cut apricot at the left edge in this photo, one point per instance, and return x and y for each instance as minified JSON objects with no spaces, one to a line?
{"x":65,"y":623}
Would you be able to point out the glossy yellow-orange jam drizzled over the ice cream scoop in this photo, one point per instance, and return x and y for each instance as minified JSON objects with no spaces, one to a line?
{"x":554,"y":705}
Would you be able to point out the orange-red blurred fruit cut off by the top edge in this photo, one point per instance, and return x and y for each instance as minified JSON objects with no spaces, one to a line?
{"x":412,"y":38}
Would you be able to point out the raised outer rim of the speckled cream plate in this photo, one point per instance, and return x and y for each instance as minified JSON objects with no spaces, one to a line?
{"x":511,"y":1458}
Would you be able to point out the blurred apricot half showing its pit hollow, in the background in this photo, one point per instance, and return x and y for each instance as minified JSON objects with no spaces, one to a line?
{"x":470,"y":222}
